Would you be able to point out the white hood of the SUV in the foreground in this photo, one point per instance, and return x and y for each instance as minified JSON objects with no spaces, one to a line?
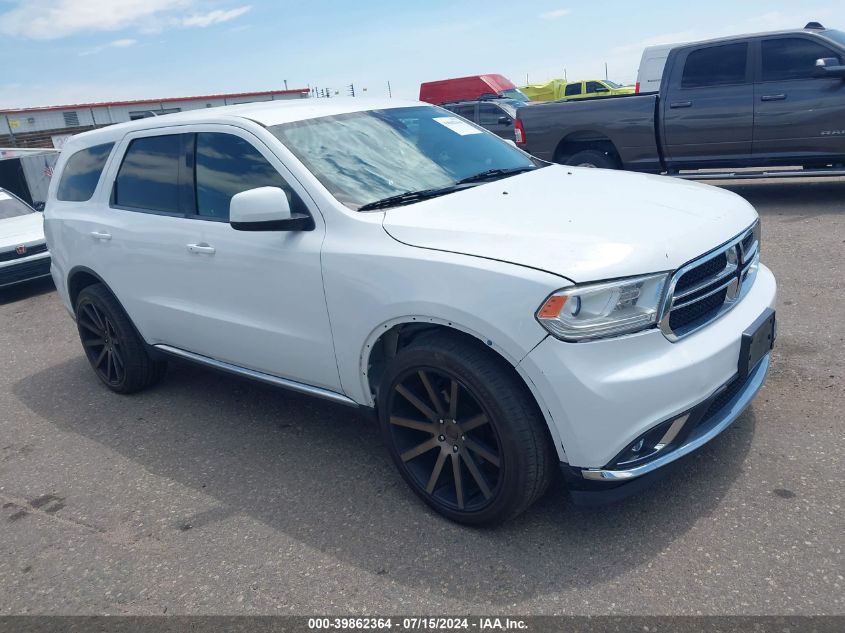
{"x":580,"y":223}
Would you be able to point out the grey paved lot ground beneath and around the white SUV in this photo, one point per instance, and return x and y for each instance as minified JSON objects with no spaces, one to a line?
{"x":209,"y":494}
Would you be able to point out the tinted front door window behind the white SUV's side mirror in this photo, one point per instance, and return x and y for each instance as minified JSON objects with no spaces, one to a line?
{"x":227,"y":165}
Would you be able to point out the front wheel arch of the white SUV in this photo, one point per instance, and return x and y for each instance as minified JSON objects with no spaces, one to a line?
{"x":391,"y":336}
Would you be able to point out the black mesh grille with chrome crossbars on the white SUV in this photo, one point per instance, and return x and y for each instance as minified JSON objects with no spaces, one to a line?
{"x":718,"y":291}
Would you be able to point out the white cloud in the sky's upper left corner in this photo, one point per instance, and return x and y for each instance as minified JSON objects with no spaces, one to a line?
{"x":54,"y":19}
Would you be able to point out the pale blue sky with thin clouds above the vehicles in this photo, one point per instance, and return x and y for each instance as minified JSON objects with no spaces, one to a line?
{"x":69,"y":51}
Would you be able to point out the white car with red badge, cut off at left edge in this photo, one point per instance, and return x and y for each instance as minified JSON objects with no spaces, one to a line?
{"x":23,"y":249}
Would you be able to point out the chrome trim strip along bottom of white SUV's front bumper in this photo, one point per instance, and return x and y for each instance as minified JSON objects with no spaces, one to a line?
{"x":720,"y":421}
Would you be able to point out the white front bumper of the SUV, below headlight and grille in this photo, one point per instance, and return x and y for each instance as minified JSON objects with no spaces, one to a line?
{"x":601,"y":396}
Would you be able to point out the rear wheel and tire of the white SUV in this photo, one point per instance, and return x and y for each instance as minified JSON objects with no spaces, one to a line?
{"x":114,"y":348}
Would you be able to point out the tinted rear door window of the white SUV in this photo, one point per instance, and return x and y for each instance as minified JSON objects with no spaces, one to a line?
{"x":149,"y":175}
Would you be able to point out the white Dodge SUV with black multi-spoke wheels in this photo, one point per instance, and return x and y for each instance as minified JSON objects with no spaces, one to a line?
{"x":500,"y":318}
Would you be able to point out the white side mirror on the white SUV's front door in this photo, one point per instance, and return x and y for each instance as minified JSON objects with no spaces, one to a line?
{"x":266,"y":209}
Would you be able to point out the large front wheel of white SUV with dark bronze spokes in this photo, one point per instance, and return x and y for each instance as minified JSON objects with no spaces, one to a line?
{"x":494,"y":433}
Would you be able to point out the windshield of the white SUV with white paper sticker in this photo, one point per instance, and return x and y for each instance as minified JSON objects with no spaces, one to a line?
{"x":364,"y":157}
